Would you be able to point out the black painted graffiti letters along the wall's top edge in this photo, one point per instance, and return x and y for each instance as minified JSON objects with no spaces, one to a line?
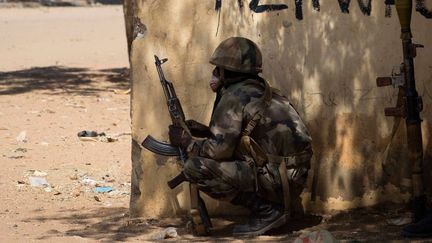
{"x":365,"y":7}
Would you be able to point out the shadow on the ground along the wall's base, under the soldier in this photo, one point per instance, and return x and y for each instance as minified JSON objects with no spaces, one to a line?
{"x":114,"y":224}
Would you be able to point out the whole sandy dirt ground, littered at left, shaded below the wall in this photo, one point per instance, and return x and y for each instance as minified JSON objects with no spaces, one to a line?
{"x":62,"y":71}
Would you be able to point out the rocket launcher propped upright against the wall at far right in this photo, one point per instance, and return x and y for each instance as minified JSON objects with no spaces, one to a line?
{"x":409,"y":105}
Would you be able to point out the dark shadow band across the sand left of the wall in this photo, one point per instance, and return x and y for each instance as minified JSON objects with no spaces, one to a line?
{"x":63,"y":80}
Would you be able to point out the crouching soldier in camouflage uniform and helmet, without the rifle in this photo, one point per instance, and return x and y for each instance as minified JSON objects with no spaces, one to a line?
{"x":256,"y":151}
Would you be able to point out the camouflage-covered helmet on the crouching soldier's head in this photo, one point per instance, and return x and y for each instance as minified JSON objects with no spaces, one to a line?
{"x":238,"y":54}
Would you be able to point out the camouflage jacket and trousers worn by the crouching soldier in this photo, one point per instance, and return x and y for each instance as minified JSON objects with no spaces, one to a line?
{"x":216,"y":168}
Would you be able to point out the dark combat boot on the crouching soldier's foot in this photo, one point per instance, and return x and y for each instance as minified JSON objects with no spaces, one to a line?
{"x":265,"y":215}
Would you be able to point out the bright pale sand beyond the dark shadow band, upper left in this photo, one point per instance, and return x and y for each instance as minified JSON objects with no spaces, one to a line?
{"x":73,"y":37}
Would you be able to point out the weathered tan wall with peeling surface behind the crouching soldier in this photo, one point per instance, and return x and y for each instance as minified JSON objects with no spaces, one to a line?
{"x":327,"y":64}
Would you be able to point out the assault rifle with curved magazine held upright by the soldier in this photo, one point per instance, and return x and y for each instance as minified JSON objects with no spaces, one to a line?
{"x":200,"y":220}
